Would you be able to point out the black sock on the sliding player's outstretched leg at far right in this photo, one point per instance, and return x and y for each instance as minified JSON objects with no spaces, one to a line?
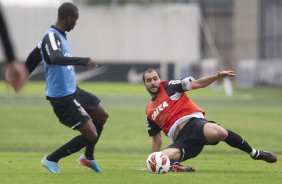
{"x":236,"y":141}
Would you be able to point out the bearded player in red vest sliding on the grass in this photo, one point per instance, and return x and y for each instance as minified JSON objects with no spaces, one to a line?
{"x":173,"y":112}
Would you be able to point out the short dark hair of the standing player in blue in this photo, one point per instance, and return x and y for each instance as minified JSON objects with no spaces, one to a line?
{"x":67,"y":9}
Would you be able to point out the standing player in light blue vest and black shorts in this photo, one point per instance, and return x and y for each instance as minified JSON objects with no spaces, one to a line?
{"x":73,"y":106}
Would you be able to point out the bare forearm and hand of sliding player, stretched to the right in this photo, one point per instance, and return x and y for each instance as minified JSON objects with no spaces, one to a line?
{"x":205,"y":81}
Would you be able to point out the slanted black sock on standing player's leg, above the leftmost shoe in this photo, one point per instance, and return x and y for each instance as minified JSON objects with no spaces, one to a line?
{"x":69,"y":148}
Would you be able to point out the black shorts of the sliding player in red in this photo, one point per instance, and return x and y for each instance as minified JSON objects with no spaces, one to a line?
{"x":191,"y":139}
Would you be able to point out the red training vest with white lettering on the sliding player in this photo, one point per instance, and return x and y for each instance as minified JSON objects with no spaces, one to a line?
{"x":165,"y":111}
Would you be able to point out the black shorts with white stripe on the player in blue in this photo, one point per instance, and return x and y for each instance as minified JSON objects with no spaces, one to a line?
{"x":73,"y":110}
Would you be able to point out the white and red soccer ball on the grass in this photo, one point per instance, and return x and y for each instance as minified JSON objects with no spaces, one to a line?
{"x":158,"y":163}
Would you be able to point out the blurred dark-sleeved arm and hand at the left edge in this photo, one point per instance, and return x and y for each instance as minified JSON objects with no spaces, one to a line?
{"x":15,"y":71}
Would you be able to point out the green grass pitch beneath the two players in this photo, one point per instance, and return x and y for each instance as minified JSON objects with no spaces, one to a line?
{"x":29,"y":130}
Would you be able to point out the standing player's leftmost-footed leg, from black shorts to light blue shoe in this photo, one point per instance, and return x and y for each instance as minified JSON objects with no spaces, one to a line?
{"x":71,"y":114}
